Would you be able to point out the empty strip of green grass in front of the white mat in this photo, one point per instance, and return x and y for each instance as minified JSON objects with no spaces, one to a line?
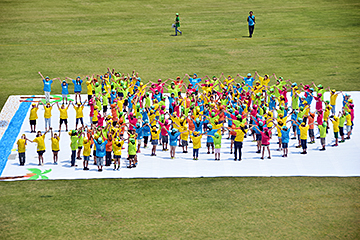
{"x":203,"y":208}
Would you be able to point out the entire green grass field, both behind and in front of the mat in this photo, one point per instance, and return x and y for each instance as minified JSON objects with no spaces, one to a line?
{"x":300,"y":40}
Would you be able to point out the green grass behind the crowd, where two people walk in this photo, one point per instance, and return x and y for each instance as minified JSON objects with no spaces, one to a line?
{"x":301,"y":40}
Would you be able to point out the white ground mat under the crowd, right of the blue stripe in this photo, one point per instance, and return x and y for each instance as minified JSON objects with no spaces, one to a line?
{"x":343,"y":160}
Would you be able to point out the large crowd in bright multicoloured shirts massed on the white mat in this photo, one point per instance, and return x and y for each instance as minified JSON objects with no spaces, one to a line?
{"x":176,"y":112}
